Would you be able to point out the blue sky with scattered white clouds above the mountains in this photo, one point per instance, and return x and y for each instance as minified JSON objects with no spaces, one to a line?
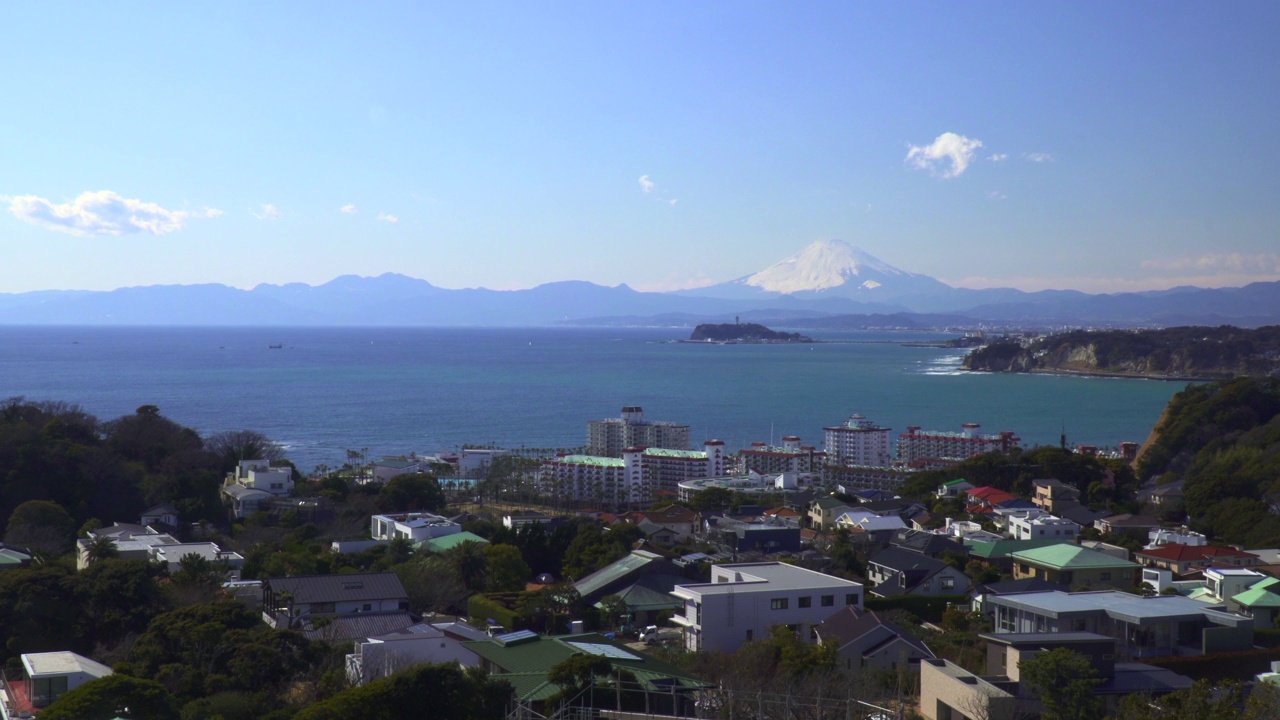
{"x":1098,"y":147}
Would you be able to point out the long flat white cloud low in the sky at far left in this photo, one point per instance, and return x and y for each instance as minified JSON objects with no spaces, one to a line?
{"x":104,"y":213}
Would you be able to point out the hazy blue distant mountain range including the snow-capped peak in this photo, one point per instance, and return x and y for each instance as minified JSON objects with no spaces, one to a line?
{"x":829,"y":285}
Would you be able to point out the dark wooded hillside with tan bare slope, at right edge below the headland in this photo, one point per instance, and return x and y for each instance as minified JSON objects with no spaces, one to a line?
{"x":1223,"y":440}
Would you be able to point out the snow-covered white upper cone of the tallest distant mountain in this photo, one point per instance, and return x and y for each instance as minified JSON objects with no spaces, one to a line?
{"x":825,"y":266}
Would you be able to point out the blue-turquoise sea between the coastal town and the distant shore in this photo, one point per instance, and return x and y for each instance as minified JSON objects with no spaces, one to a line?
{"x":401,"y":390}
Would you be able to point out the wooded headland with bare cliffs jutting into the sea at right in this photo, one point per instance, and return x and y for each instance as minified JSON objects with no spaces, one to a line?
{"x":1171,"y":353}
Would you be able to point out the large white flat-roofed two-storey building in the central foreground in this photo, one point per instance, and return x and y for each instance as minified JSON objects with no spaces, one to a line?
{"x":744,"y":600}
